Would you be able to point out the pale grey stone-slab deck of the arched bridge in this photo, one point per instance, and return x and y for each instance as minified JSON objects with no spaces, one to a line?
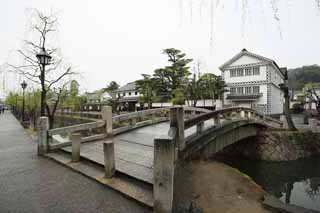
{"x":133,"y":150}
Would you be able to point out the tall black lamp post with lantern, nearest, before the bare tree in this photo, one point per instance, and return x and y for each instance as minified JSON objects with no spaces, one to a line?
{"x":44,"y":59}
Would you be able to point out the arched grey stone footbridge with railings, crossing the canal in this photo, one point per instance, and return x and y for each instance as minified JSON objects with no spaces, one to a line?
{"x":146,"y":146}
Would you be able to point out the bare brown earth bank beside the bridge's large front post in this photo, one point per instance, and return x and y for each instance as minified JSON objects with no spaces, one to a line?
{"x":216,"y":187}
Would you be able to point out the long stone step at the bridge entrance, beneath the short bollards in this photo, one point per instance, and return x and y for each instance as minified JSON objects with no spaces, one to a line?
{"x":130,"y":187}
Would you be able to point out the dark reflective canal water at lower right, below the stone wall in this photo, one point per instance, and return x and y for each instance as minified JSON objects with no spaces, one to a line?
{"x":295,"y":182}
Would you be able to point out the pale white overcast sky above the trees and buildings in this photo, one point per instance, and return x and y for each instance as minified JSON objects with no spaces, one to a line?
{"x":118,"y":40}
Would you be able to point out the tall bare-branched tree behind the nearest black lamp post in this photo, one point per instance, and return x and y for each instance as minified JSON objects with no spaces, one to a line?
{"x":42,"y":37}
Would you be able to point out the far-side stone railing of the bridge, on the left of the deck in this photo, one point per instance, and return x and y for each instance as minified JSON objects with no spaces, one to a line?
{"x":109,"y":125}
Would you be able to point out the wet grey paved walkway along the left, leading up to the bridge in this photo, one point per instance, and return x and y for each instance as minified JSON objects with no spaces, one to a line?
{"x":29,"y":183}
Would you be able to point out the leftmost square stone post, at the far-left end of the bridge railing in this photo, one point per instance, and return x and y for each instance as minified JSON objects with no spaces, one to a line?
{"x":43,"y":126}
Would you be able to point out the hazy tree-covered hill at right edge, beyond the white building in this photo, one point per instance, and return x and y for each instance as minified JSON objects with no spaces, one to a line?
{"x":298,"y":77}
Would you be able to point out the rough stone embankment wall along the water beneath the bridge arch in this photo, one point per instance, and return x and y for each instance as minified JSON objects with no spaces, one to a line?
{"x":277,"y":146}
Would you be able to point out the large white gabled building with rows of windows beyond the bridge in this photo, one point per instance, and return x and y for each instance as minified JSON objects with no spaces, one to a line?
{"x":253,"y":81}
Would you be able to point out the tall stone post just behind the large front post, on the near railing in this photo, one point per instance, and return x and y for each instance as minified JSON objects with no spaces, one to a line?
{"x":177,"y":121}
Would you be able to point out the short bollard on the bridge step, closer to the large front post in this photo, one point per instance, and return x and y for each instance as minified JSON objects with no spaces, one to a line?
{"x":109,"y":159}
